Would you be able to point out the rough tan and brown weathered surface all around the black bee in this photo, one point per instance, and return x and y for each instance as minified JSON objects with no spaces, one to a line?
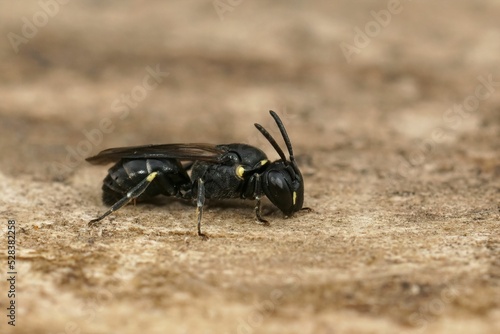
{"x":405,"y":187}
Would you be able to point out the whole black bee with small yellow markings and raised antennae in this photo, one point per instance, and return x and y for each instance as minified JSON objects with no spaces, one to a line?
{"x":217,"y":171}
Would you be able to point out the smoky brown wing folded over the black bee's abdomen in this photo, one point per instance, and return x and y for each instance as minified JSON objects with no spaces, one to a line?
{"x":191,"y":152}
